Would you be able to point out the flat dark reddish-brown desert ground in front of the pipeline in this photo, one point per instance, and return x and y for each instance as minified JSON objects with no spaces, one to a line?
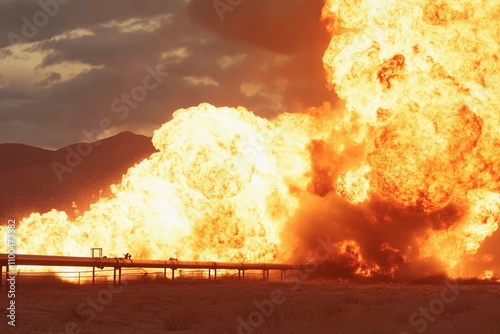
{"x":232,"y":306}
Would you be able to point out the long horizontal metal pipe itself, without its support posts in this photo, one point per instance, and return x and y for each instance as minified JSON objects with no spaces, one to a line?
{"x":72,"y":261}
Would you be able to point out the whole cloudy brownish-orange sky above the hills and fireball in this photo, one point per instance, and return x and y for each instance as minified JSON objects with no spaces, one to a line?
{"x":67,"y":65}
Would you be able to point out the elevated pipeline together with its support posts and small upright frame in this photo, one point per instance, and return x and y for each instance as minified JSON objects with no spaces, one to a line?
{"x":118,"y":263}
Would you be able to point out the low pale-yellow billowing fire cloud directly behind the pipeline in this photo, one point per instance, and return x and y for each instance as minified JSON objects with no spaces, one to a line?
{"x":214,"y":191}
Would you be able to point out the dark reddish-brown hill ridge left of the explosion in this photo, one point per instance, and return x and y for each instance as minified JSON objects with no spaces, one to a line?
{"x":38,"y":180}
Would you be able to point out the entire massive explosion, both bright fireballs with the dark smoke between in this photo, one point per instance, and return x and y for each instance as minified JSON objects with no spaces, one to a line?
{"x":403,"y":179}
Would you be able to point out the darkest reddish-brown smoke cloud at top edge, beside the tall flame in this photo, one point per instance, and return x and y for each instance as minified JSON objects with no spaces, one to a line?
{"x":284,"y":26}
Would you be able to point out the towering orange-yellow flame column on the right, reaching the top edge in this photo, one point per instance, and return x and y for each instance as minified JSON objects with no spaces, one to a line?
{"x":422,"y":79}
